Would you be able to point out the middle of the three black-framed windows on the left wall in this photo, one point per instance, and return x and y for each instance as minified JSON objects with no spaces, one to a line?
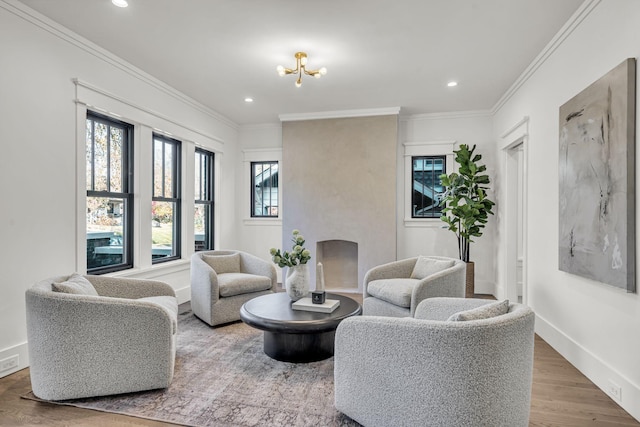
{"x":165,"y":204}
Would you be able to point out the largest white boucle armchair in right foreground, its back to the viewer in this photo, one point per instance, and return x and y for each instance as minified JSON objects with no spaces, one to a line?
{"x":430,"y":371}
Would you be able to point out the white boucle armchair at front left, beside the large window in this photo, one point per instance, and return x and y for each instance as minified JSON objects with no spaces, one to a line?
{"x":120,"y":339}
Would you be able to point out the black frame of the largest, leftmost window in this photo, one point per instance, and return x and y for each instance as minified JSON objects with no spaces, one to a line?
{"x":127,"y":193}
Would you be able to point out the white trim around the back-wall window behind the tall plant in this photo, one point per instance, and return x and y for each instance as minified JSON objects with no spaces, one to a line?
{"x":419,"y":149}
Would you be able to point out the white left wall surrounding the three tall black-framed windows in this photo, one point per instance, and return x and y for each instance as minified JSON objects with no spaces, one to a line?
{"x":38,"y":214}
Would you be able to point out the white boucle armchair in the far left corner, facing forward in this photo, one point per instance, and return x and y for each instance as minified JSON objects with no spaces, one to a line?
{"x":223,"y":280}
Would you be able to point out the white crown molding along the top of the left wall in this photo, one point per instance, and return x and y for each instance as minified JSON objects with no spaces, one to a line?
{"x":19,"y":9}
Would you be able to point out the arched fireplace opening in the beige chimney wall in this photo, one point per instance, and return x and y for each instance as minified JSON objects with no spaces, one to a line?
{"x":339,"y":260}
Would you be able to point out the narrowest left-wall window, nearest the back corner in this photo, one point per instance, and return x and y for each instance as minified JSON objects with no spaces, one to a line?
{"x":203,"y":213}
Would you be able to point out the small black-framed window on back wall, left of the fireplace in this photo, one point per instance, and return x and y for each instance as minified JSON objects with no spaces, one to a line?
{"x":264,"y":189}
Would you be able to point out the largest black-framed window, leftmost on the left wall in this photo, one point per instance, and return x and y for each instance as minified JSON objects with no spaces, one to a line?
{"x":109,"y":160}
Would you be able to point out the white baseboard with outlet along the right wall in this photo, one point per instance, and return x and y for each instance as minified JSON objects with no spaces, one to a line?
{"x":595,"y":369}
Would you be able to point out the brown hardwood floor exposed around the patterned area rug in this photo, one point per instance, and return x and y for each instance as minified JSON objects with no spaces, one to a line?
{"x":561,"y":396}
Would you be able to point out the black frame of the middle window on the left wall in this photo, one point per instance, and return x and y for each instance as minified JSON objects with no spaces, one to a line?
{"x":176,"y":191}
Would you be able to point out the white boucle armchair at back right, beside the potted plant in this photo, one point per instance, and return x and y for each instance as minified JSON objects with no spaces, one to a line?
{"x":395,"y":289}
